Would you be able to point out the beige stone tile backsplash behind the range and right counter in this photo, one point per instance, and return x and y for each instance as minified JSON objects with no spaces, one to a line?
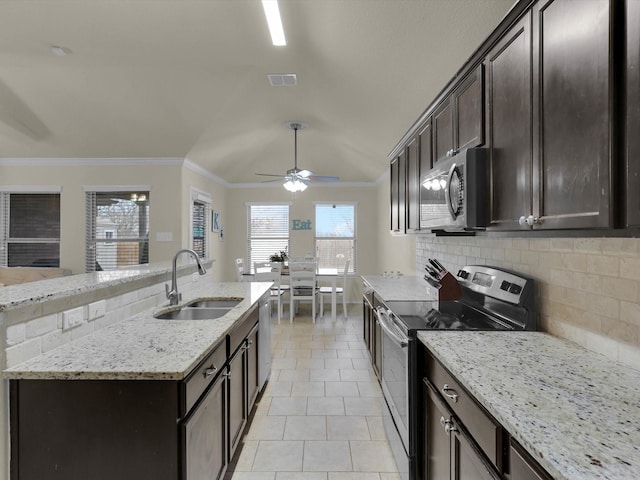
{"x":588,"y":288}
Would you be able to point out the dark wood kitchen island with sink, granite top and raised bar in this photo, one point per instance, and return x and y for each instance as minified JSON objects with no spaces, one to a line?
{"x":140,"y":396}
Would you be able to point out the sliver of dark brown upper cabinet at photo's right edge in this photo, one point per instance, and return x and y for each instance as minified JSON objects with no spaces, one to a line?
{"x":632,"y":114}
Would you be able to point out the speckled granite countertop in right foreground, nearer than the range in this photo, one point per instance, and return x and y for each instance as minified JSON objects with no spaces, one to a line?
{"x":575,"y":411}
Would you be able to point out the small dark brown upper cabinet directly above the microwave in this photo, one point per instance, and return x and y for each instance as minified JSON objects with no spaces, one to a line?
{"x":458,"y":122}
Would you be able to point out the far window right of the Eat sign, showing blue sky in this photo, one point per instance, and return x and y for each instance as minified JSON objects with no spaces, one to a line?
{"x":335,"y":236}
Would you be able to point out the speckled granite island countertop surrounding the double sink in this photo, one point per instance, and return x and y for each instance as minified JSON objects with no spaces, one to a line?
{"x":142,"y":347}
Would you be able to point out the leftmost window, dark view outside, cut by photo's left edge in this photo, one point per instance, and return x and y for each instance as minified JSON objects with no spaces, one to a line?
{"x":29,"y":229}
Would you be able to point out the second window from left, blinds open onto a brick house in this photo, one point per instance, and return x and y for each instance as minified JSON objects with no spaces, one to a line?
{"x":117,"y":228}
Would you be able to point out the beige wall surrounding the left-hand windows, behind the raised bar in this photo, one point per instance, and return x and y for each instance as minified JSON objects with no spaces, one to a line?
{"x":169,"y":197}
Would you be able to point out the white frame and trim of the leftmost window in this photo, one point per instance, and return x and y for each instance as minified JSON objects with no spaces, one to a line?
{"x":5,"y":220}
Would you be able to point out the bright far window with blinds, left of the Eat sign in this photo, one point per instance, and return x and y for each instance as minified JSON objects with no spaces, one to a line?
{"x":267,"y":231}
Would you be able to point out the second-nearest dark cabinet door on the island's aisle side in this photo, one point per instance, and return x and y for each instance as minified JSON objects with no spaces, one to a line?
{"x":237,"y":398}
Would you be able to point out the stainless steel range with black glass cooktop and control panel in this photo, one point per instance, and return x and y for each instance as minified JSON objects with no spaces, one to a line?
{"x":488,"y":298}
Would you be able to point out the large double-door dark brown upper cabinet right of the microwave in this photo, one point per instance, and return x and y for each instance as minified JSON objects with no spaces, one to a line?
{"x":549,"y":116}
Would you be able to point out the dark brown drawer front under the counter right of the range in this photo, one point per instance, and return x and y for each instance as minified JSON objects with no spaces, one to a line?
{"x":486,"y":431}
